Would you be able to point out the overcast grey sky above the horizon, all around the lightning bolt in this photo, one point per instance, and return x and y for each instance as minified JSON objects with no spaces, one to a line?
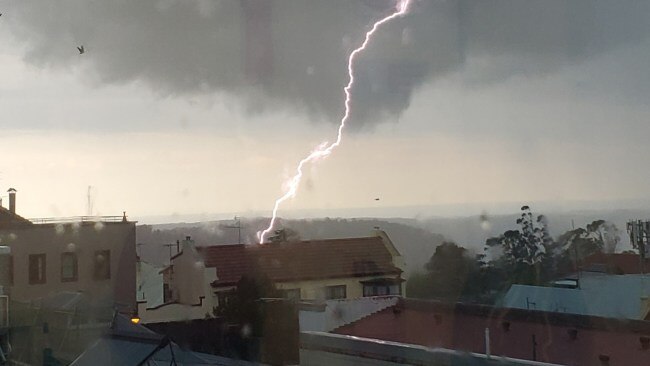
{"x":205,"y":106}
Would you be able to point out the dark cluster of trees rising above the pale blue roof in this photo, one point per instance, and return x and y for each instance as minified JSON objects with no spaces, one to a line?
{"x":526,"y":255}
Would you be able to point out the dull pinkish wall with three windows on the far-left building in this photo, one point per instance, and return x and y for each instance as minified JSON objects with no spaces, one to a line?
{"x":83,"y":239}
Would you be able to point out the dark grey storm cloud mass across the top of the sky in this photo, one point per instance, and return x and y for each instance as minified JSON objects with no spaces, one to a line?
{"x":292,"y":53}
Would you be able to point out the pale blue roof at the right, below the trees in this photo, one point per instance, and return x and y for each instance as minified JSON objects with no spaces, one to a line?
{"x":610,"y":296}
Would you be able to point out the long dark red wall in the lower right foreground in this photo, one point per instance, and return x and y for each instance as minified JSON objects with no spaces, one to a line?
{"x":467,"y":333}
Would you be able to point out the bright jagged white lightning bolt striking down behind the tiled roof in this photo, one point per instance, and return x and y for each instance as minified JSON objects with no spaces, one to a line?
{"x":323,"y":150}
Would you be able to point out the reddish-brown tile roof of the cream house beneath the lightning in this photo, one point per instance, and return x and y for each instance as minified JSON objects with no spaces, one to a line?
{"x":314,"y":259}
